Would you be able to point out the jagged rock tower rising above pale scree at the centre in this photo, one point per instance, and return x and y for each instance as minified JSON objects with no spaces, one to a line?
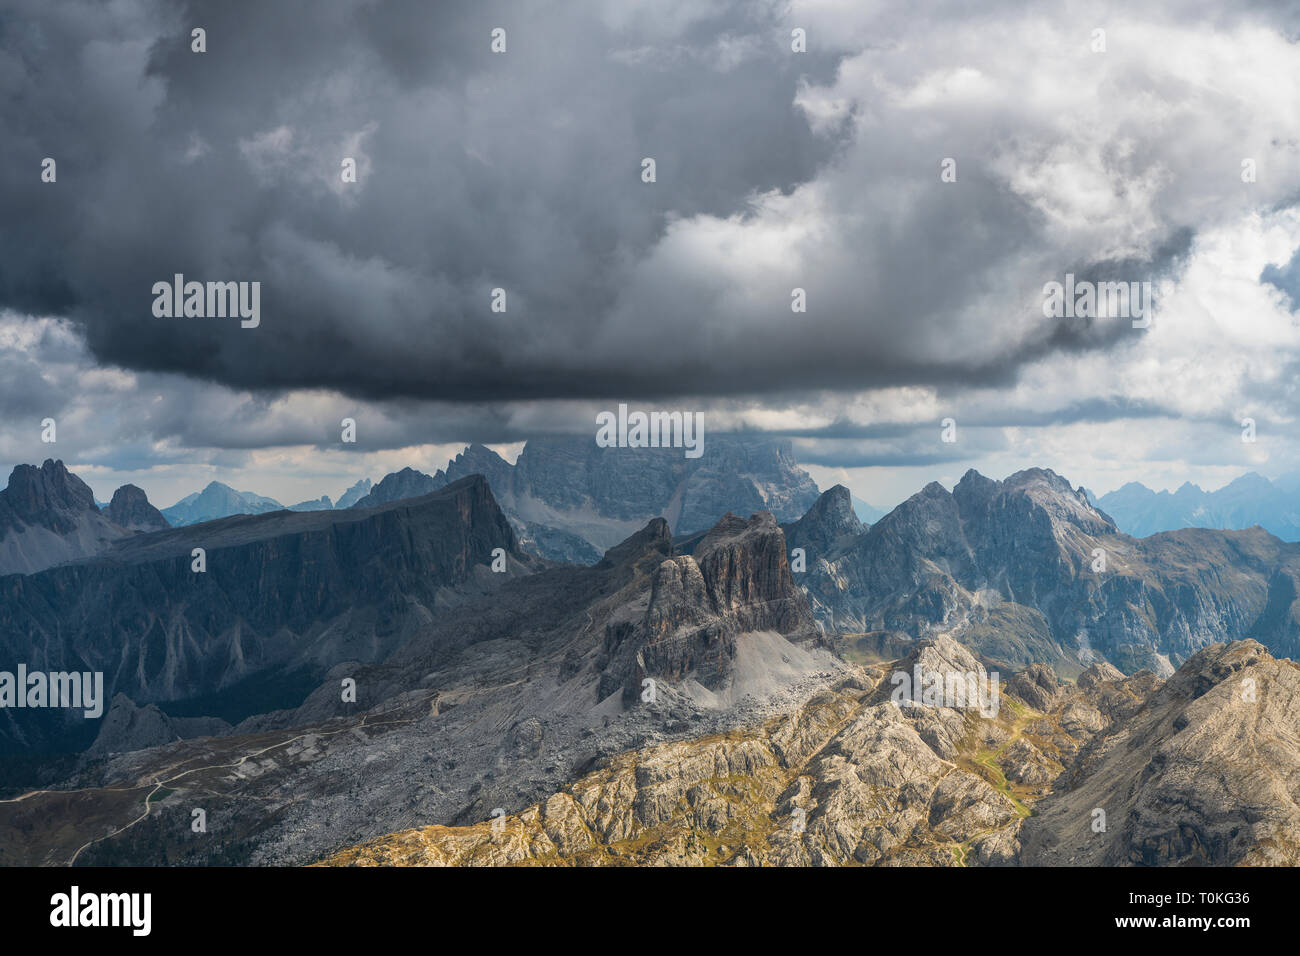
{"x":738,"y":581}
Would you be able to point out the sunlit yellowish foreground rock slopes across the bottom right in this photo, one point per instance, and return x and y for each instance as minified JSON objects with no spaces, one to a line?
{"x":851,"y":778}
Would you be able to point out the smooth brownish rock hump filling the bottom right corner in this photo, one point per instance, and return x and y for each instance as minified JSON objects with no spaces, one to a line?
{"x":1207,"y":773}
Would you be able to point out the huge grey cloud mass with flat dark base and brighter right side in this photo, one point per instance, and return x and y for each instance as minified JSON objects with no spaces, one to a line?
{"x":523,"y":171}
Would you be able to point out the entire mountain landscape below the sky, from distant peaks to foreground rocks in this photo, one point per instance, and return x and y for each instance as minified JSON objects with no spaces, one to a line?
{"x":372,"y":685}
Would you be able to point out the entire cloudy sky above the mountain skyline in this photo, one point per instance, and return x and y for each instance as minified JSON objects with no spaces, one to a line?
{"x":523,"y":171}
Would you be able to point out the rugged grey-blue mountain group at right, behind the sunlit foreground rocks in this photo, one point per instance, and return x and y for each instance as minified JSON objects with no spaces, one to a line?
{"x":1029,"y":570}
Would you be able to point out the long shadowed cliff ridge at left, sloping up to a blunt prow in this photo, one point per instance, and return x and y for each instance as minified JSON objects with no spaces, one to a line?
{"x":283,"y":594}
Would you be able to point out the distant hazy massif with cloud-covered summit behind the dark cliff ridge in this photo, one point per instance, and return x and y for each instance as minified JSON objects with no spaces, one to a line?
{"x":567,"y":499}
